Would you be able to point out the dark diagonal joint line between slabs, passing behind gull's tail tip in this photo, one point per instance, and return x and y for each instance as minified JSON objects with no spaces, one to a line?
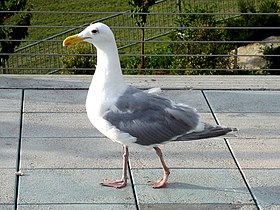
{"x":233,"y":155}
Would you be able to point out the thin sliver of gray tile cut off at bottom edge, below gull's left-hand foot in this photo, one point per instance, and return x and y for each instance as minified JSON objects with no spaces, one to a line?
{"x":79,"y":207}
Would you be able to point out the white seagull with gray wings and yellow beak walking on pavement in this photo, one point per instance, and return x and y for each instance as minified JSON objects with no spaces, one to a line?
{"x":130,"y":116}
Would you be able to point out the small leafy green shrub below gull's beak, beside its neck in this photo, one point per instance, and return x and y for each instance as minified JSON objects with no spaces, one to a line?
{"x":76,"y":61}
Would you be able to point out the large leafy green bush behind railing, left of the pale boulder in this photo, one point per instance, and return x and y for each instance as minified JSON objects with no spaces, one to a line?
{"x":200,"y":55}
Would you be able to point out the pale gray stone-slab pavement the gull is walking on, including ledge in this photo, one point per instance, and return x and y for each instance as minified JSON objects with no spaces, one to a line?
{"x":45,"y":134}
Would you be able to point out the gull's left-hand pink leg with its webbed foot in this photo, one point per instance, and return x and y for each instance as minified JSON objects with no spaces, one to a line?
{"x":123,"y":181}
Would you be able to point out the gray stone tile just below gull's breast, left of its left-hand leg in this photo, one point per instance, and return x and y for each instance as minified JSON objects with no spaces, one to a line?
{"x":70,"y":153}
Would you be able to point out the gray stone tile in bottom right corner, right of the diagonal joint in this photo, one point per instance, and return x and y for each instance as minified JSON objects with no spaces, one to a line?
{"x":265,"y":184}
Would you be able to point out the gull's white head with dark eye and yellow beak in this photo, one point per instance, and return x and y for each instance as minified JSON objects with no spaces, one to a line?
{"x":97,"y":33}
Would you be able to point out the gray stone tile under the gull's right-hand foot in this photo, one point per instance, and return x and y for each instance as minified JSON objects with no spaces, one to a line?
{"x":193,"y":186}
